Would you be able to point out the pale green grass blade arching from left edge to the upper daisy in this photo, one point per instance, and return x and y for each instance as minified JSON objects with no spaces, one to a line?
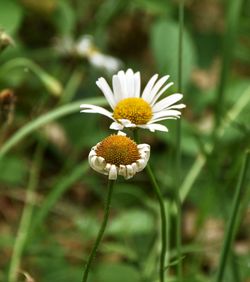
{"x":44,"y":119}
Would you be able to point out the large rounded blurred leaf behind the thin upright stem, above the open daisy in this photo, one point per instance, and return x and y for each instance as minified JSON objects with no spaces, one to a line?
{"x":164,"y":43}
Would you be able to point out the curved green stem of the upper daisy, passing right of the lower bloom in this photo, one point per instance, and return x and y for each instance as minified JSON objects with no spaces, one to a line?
{"x":163,"y":221}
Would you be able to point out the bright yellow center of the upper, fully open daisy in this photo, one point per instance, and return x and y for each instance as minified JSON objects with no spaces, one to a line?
{"x":136,"y":110}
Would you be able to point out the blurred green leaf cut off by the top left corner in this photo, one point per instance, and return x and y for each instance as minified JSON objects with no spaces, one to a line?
{"x":10,"y":16}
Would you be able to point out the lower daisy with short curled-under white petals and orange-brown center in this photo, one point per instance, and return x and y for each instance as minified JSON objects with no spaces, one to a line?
{"x":119,"y":155}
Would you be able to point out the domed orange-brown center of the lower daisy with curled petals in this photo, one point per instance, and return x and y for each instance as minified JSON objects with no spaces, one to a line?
{"x":118,"y":150}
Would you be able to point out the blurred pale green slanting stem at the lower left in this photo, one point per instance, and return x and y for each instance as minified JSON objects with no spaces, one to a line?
{"x":25,"y":218}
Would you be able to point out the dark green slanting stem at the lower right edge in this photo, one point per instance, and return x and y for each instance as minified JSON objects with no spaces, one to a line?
{"x":229,"y":236}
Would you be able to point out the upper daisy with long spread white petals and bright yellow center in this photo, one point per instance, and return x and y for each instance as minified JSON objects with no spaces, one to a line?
{"x":130,"y":108}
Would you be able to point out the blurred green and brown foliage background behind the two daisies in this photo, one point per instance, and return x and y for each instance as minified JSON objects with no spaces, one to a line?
{"x":44,"y":71}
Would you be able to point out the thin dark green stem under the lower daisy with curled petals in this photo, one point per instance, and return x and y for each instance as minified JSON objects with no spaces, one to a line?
{"x":101,"y":231}
